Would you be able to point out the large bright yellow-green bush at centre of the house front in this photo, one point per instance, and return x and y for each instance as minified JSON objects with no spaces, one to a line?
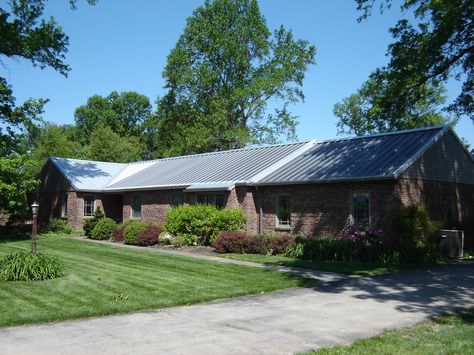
{"x":201,"y":224}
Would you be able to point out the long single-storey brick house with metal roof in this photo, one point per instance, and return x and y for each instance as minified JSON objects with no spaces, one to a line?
{"x":317,"y":188}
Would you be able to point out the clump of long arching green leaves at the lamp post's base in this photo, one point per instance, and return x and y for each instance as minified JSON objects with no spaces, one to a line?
{"x":25,"y":266}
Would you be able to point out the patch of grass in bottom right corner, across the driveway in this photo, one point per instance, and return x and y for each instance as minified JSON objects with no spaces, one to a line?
{"x":442,"y":335}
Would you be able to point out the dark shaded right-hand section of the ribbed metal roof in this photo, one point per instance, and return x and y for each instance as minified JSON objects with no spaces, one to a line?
{"x":361,"y":158}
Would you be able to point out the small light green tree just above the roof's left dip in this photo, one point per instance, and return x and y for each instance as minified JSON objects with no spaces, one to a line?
{"x":106,"y":145}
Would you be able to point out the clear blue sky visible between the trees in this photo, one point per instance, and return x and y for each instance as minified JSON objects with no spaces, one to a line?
{"x":122,"y":45}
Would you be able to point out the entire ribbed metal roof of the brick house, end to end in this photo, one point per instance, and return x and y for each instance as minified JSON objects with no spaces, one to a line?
{"x":361,"y":158}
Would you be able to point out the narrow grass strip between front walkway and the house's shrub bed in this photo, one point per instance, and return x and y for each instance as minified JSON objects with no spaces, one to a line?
{"x":365,"y":269}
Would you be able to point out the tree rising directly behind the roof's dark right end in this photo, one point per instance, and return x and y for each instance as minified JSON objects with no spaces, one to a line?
{"x":372,"y":110}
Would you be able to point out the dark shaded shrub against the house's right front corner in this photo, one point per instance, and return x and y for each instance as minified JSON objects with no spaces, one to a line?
{"x":413,"y":226}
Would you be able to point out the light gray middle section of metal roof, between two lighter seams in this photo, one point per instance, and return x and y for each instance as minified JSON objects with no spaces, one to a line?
{"x":233,"y":166}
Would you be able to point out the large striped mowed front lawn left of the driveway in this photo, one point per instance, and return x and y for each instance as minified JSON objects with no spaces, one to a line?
{"x":102,"y":279}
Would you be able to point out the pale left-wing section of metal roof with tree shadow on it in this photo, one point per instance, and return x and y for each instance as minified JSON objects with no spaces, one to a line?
{"x":86,"y":175}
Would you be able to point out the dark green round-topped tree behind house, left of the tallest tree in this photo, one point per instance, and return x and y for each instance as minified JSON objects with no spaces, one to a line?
{"x":125,"y":113}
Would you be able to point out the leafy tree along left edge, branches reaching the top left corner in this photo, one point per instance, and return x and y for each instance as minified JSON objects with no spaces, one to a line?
{"x":25,"y":35}
